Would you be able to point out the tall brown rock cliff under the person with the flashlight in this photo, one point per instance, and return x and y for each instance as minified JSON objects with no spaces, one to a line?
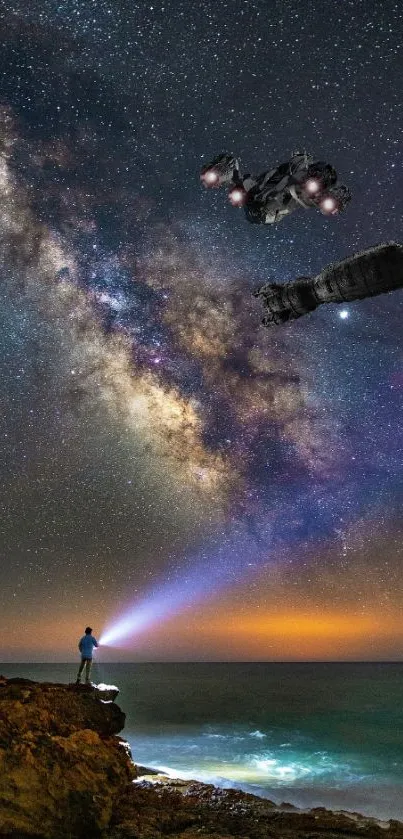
{"x":60,"y":765}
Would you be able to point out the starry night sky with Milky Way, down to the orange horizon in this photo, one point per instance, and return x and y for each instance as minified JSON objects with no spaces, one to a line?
{"x":241,"y":487}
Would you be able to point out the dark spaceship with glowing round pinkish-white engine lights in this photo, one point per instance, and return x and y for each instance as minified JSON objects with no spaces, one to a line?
{"x":269,"y":197}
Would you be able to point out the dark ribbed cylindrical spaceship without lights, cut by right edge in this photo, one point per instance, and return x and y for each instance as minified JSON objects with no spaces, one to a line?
{"x":374,"y":271}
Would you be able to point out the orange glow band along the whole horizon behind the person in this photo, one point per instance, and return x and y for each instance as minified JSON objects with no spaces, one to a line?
{"x":218,"y":632}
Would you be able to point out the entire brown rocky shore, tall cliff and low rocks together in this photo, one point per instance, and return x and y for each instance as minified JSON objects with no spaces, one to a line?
{"x":64,"y":774}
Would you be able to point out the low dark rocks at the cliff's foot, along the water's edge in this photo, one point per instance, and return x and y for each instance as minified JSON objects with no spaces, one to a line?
{"x":189,"y":810}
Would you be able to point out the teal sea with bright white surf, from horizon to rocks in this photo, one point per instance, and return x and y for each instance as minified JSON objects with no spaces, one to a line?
{"x":311,"y":734}
